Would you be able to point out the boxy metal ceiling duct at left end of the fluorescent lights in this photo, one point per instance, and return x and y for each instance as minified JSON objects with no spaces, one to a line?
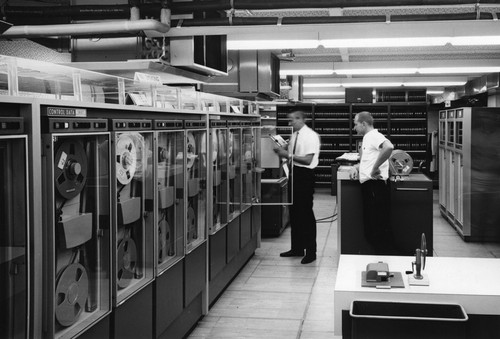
{"x":251,"y":75}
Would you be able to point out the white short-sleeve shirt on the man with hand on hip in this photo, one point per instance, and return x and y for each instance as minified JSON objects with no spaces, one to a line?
{"x":372,"y":143}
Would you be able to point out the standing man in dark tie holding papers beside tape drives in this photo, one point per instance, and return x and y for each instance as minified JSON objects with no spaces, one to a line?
{"x":303,"y":150}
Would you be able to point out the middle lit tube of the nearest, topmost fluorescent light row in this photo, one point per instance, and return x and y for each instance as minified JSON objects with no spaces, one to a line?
{"x":384,"y":42}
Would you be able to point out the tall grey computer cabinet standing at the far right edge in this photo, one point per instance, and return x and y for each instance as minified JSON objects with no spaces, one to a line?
{"x":469,"y":158}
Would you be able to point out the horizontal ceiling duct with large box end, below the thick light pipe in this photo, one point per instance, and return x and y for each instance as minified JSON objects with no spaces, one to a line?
{"x":126,"y":55}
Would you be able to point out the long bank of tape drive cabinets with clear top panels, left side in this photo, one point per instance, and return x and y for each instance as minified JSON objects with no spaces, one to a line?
{"x":105,"y":206}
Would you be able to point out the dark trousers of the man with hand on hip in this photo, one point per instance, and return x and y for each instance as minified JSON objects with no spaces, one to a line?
{"x":376,"y":216}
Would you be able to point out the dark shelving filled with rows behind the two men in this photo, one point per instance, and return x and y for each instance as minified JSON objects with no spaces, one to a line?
{"x":404,"y":123}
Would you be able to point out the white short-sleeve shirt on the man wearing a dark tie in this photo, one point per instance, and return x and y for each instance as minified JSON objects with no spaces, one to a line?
{"x":307,"y":143}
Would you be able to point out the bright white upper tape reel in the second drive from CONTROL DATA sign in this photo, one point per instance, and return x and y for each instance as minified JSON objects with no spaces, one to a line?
{"x":126,"y":159}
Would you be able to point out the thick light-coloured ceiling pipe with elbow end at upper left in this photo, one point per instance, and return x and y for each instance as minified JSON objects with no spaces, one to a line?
{"x":93,"y":28}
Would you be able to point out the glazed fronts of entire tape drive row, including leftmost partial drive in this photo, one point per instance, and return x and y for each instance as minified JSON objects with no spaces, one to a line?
{"x":106,"y":182}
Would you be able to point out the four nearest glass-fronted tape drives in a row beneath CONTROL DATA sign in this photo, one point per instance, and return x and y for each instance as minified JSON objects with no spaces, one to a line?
{"x":103,"y":174}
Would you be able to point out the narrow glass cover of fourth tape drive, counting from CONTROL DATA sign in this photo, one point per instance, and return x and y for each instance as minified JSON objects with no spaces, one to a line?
{"x":196,"y":172}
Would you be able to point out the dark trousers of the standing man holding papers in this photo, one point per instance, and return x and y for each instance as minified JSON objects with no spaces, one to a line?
{"x":302,"y":219}
